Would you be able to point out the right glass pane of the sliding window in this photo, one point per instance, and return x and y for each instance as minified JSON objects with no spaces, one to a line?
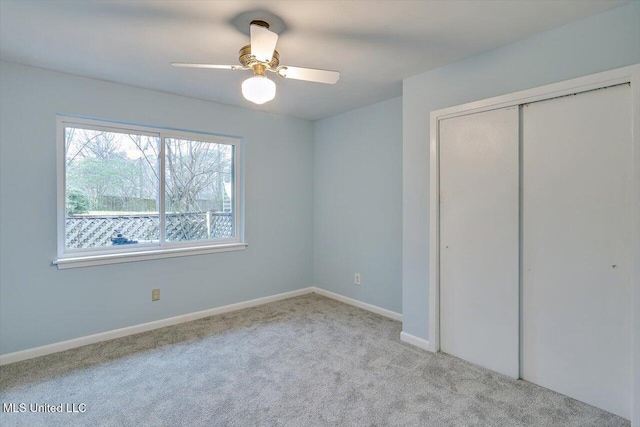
{"x":198,"y":190}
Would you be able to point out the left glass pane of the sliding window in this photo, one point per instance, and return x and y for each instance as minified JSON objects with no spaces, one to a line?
{"x":112,"y":187}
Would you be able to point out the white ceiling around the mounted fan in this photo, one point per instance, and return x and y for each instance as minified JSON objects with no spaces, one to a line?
{"x":374,"y":44}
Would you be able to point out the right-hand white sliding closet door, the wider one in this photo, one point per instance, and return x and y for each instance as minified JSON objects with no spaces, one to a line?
{"x":577,"y":295}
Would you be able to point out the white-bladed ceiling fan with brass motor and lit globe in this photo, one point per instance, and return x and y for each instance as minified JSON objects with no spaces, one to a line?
{"x":261,"y":56}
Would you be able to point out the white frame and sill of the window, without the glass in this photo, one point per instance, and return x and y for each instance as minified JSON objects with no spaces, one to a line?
{"x":71,"y":258}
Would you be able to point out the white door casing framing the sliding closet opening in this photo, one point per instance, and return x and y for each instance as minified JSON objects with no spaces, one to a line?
{"x":630,"y":74}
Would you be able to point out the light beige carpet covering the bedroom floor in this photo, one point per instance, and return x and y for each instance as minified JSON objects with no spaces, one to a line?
{"x":305,"y":361}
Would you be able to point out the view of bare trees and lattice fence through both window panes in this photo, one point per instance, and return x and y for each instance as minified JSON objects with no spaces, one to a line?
{"x":113,"y":181}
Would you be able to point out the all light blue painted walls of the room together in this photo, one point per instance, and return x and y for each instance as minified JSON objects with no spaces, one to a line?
{"x":297,"y":191}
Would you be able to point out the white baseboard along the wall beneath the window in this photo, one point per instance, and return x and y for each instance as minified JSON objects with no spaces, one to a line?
{"x":144,"y":327}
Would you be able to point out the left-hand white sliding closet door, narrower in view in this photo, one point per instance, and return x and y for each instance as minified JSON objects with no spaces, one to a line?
{"x":479,"y":239}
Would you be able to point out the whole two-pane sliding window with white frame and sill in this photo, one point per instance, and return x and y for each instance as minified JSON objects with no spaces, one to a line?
{"x":132,"y":192}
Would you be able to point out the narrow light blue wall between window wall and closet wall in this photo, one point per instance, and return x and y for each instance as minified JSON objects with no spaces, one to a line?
{"x":358,"y":202}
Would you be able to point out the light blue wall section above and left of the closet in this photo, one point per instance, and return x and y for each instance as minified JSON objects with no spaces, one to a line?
{"x":602,"y":42}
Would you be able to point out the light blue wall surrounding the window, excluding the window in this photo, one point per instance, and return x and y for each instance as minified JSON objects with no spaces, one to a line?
{"x":40,"y":304}
